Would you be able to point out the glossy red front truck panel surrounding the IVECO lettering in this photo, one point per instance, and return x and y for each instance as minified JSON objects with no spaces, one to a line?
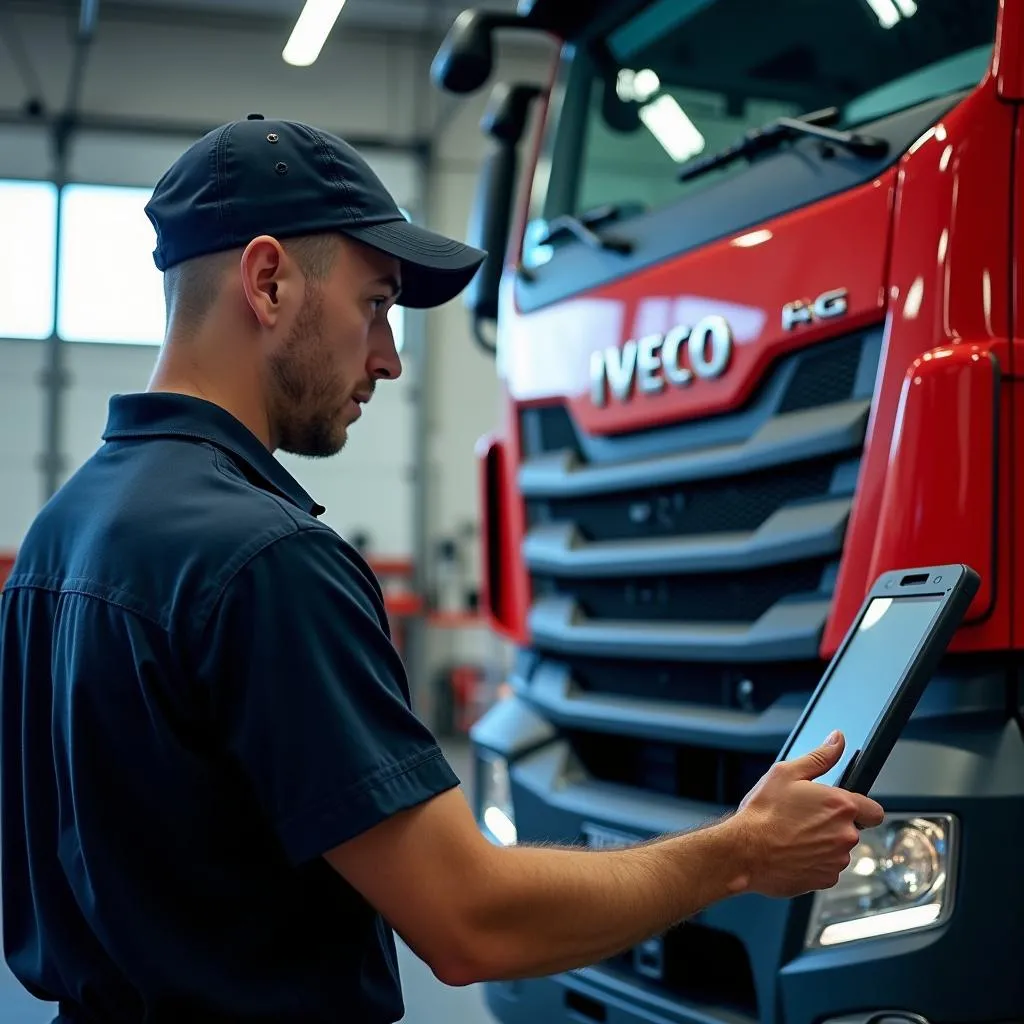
{"x":747,"y":279}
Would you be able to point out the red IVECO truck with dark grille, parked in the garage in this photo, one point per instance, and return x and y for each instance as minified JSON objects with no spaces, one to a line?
{"x":758,"y":323}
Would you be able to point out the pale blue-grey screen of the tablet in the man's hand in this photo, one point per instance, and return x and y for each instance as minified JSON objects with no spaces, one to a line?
{"x":866,"y":676}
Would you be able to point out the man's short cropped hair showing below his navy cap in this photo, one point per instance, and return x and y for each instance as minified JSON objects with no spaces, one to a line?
{"x":192,"y":288}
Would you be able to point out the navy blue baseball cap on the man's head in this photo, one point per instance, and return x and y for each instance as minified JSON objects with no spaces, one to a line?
{"x":286,"y":180}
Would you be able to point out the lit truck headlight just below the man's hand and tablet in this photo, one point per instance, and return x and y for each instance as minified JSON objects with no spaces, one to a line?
{"x":900,"y":880}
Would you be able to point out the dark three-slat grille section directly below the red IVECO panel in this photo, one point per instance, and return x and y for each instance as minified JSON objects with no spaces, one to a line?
{"x":704,"y":524}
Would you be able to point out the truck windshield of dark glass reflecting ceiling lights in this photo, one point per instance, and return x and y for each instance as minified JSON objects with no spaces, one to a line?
{"x":660,"y":83}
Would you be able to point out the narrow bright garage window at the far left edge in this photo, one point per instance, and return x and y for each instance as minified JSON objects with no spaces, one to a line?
{"x":28,"y":260}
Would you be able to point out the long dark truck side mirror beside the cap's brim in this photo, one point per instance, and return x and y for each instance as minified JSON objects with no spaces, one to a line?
{"x":504,"y":122}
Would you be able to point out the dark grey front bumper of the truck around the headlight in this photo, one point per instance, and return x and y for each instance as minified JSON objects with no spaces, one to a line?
{"x":744,"y":962}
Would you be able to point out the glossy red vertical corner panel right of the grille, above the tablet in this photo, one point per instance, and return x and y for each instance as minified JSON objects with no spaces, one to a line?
{"x":949,"y":290}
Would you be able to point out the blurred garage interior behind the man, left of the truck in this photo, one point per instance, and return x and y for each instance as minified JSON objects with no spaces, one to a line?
{"x":97,"y":100}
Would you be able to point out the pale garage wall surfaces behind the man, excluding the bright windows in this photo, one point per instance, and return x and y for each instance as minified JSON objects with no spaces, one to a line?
{"x":363,"y":86}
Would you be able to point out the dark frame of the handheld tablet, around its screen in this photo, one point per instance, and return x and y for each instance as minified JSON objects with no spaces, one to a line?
{"x":956,"y":585}
